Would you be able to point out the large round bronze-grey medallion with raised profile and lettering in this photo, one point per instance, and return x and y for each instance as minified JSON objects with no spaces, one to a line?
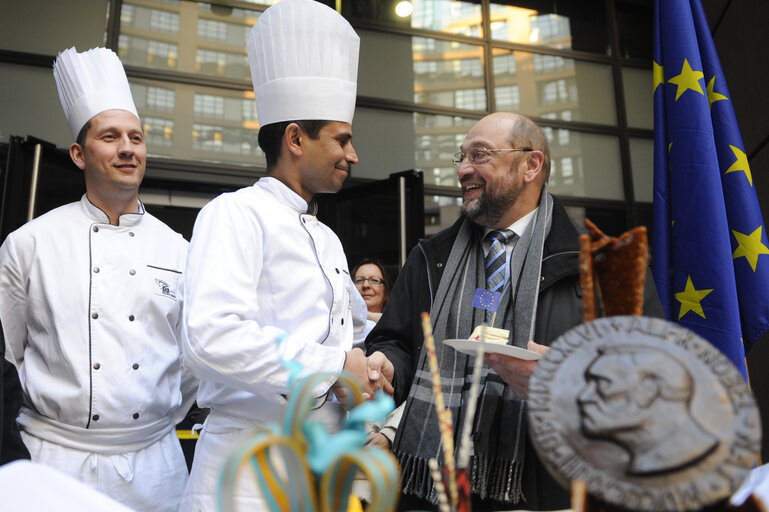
{"x":650,"y":415}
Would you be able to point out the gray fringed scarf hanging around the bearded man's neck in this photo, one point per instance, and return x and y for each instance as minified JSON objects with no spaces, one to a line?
{"x":498,"y":427}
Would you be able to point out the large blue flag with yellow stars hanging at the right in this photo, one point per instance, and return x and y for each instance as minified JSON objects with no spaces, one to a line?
{"x":711,"y":257}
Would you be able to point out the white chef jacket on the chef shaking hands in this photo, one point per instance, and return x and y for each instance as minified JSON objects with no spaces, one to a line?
{"x":259,"y":267}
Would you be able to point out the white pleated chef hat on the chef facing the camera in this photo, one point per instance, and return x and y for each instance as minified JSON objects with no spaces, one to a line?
{"x":90,"y":83}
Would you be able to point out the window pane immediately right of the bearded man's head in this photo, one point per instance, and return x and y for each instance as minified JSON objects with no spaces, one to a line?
{"x":584,"y":164}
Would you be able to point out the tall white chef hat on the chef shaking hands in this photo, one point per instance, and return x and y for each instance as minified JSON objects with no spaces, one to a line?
{"x":304,"y":63}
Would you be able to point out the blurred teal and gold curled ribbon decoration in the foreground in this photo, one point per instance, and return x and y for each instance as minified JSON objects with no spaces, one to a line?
{"x":317,"y":467}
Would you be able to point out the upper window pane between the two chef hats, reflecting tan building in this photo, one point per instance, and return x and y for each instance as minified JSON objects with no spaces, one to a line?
{"x":211,"y":40}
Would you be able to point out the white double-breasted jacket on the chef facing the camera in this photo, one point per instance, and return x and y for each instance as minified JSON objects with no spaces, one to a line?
{"x":91,"y":313}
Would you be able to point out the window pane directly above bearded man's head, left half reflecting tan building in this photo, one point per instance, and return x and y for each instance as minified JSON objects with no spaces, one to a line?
{"x":553,"y":87}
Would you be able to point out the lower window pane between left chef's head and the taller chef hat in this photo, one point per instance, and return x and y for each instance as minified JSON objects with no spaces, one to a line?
{"x":198,"y":123}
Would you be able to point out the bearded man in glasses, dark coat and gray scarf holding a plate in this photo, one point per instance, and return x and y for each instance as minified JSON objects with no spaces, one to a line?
{"x":516,"y":239}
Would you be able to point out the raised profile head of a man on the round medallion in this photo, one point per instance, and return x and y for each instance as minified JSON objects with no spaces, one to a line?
{"x":631,"y":392}
